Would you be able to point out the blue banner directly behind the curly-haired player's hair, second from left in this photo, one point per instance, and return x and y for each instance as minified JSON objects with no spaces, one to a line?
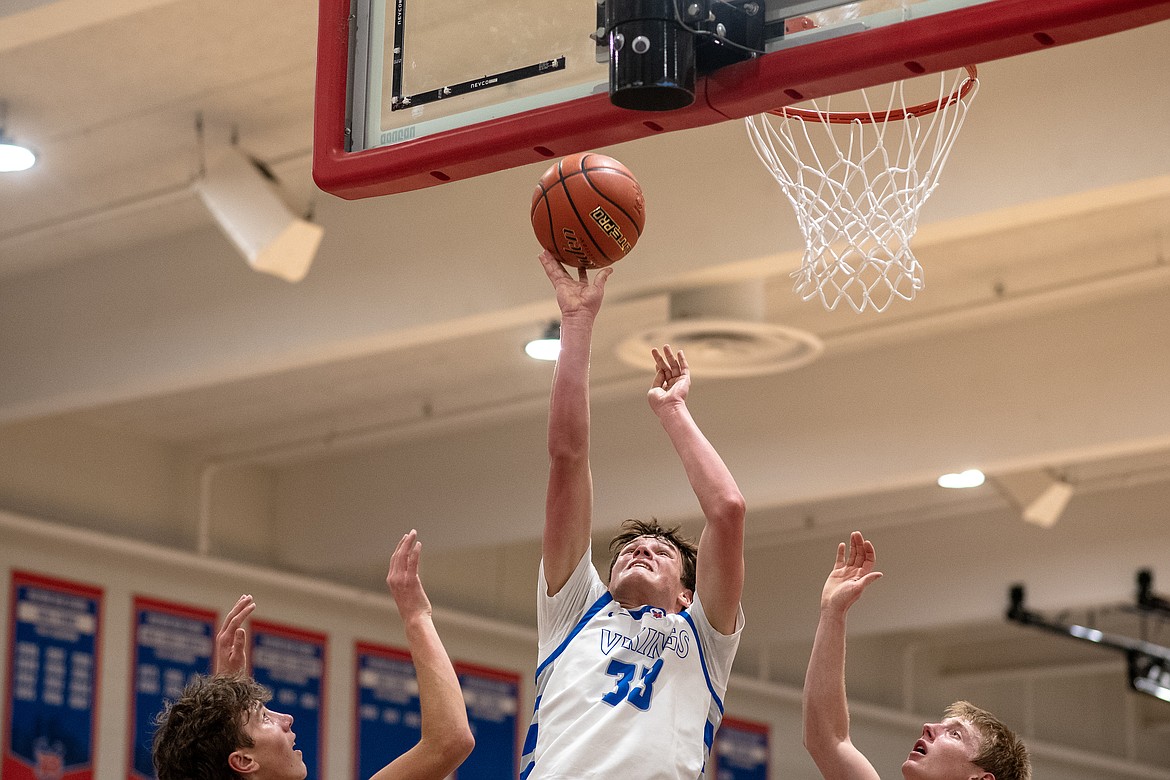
{"x":173,"y":645}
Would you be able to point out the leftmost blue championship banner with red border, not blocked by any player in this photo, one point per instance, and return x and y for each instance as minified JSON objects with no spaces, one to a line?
{"x":53,"y":671}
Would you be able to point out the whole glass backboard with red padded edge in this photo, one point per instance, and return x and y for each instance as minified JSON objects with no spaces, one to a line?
{"x":415,"y":93}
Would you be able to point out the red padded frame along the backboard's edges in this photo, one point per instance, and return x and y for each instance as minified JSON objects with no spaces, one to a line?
{"x":969,"y":36}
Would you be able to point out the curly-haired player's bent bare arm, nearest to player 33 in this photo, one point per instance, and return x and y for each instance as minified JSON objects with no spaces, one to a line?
{"x":448,"y":737}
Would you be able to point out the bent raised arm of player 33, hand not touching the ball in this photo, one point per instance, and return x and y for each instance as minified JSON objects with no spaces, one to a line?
{"x":719,"y":569}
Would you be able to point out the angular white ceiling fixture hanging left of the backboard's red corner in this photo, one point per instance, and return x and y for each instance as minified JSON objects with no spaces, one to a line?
{"x":251,"y":212}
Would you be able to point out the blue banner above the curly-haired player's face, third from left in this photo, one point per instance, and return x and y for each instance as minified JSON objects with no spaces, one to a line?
{"x":292,"y":665}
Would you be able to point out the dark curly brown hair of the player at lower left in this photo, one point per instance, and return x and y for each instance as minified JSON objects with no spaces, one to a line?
{"x":196,"y":735}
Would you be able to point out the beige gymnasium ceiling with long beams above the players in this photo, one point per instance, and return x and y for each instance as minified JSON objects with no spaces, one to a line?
{"x":1038,"y":350}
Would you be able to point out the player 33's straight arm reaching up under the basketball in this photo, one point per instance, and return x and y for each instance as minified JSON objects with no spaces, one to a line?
{"x":569,"y":503}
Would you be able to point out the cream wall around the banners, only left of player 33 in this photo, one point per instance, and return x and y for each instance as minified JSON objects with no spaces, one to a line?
{"x":125,"y":570}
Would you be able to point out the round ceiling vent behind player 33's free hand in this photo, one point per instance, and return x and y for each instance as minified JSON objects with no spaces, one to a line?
{"x":726,"y":348}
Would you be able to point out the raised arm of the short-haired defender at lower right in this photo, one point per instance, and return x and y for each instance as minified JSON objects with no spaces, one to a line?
{"x":827,"y":715}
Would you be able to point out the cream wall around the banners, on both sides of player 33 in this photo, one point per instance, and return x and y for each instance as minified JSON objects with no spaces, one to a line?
{"x":126,"y":569}
